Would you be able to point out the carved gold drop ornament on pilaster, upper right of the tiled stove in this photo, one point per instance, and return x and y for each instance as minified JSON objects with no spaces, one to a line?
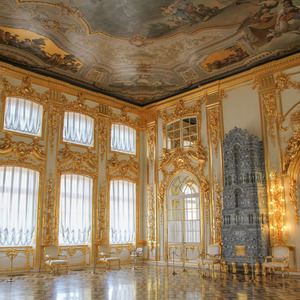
{"x":270,"y":114}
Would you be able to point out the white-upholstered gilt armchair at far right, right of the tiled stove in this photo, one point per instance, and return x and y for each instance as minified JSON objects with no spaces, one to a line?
{"x":279,"y":259}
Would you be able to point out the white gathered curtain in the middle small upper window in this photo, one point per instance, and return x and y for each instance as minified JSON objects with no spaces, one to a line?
{"x":78,"y":128}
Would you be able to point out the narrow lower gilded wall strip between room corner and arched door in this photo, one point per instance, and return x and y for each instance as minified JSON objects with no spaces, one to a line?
{"x":151,"y":220}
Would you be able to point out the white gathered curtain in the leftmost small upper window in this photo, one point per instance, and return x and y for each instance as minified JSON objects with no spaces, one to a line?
{"x":23,"y":115}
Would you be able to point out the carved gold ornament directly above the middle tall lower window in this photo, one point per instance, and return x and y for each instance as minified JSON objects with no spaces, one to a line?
{"x":82,"y":163}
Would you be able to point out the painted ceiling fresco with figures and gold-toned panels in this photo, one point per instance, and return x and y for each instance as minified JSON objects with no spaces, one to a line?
{"x":141,"y":51}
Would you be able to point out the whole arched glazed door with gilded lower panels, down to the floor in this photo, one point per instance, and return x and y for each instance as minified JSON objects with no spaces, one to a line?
{"x":184,"y":211}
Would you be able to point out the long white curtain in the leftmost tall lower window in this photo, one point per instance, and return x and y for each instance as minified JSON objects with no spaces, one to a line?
{"x":18,"y":202}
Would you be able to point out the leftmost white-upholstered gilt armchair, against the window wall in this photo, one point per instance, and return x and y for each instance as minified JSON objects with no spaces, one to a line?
{"x":53,"y":259}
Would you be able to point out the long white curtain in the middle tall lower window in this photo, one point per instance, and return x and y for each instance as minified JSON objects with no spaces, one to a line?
{"x":75,"y":217}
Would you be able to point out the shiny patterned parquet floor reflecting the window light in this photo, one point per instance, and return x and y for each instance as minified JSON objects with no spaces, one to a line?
{"x":148,"y":282}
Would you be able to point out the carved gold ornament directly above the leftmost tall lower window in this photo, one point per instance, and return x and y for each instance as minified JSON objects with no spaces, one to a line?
{"x":22,"y":153}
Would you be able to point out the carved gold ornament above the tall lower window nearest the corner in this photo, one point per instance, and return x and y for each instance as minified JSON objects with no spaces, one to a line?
{"x":124,"y":168}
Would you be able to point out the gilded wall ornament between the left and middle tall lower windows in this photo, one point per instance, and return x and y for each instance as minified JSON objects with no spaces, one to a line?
{"x":50,"y":223}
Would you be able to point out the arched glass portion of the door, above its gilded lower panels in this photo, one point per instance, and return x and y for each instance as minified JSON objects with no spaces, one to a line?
{"x":183,"y":208}
